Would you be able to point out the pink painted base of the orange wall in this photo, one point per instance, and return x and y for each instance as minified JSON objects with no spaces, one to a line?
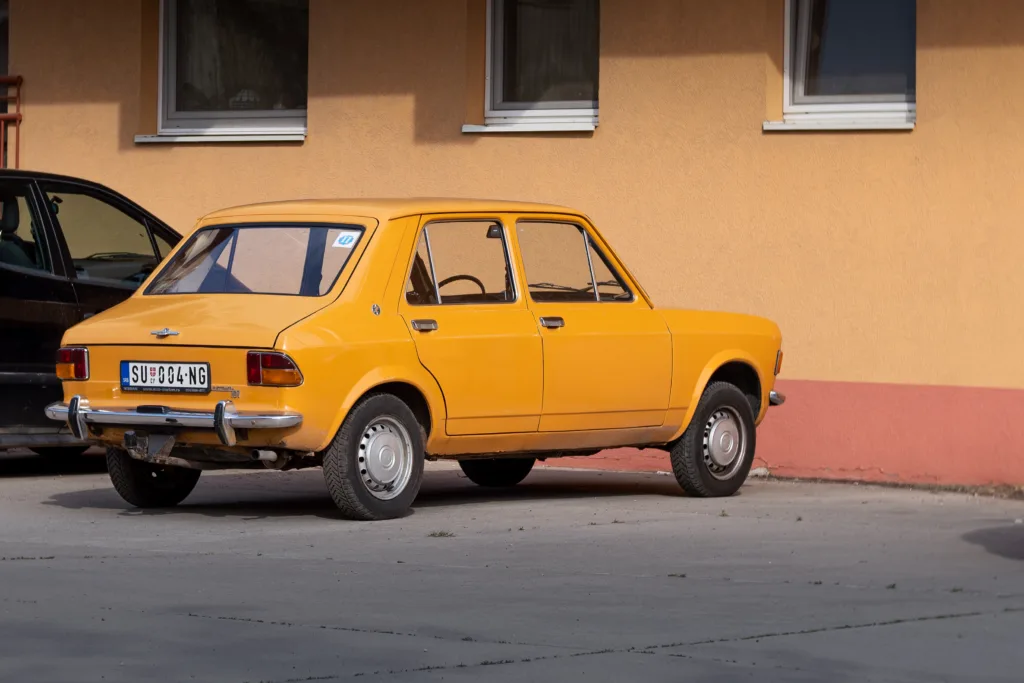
{"x":876,"y":433}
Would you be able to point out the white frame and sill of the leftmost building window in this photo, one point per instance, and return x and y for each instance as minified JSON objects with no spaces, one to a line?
{"x":210,"y":126}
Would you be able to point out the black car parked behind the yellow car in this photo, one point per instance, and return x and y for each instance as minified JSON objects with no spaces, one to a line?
{"x":69,"y":249}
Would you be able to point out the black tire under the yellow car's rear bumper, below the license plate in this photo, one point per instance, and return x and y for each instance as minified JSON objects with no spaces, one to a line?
{"x":147,"y":486}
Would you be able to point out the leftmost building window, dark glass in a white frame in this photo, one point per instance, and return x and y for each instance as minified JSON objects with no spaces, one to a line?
{"x":235,"y":67}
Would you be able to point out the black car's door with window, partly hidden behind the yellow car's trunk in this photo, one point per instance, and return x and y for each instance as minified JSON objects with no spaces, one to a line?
{"x":110,"y":246}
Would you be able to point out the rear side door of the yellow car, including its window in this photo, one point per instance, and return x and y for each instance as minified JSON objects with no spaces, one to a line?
{"x":472,"y":326}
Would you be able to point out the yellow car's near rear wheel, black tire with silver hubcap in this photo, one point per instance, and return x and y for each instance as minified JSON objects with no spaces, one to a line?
{"x":374,"y":466}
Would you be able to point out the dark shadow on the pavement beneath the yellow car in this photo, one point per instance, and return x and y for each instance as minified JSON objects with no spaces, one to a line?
{"x":266,"y":495}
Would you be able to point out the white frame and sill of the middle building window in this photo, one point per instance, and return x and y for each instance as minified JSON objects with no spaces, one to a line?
{"x":567,"y":116}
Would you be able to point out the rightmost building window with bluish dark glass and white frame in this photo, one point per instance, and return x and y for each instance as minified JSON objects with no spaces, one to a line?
{"x":851,"y":61}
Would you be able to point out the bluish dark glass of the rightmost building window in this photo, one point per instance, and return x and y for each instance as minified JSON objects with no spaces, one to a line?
{"x":858,"y":49}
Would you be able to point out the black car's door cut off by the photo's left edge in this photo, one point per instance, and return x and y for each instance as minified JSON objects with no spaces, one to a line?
{"x":37,"y":305}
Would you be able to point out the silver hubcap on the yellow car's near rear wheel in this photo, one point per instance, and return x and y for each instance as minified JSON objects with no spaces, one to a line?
{"x":386,"y":458}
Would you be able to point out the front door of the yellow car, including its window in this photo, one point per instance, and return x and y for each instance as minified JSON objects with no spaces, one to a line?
{"x":608,"y":356}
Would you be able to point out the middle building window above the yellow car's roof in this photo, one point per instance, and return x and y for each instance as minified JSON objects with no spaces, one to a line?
{"x":544,"y":58}
